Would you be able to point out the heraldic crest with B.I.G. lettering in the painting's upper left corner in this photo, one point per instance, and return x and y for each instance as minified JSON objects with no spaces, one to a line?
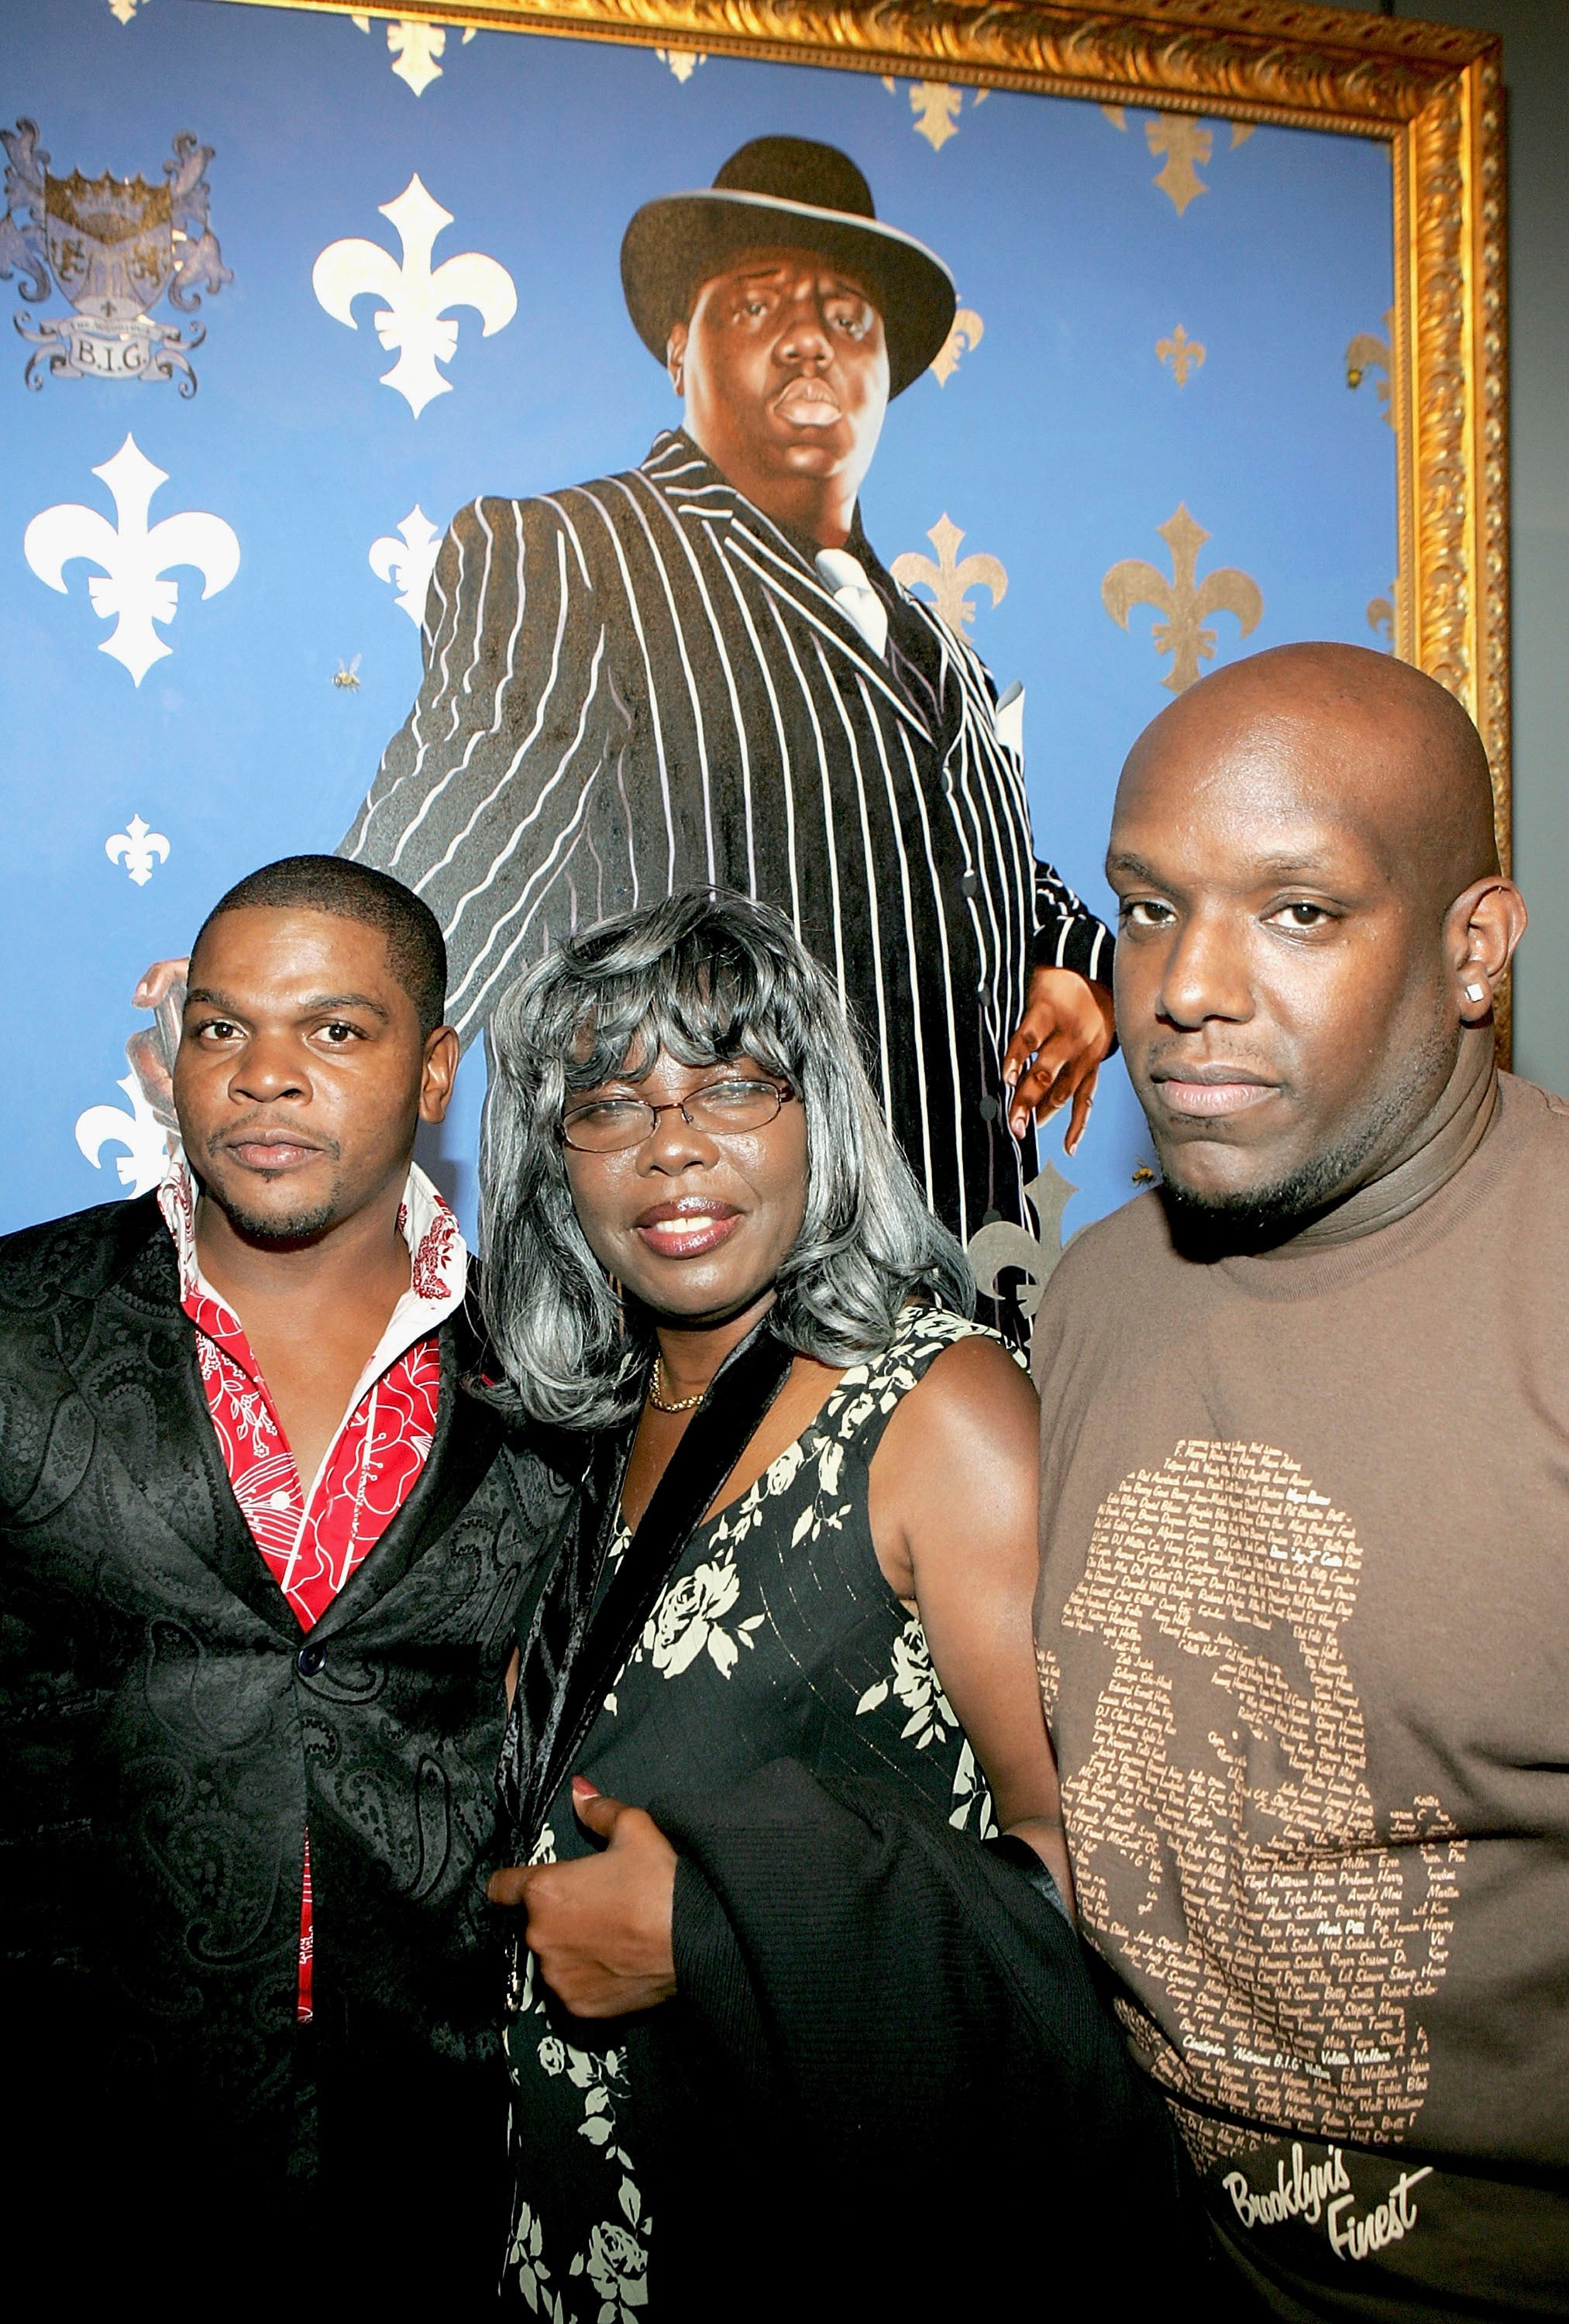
{"x":115,"y":248}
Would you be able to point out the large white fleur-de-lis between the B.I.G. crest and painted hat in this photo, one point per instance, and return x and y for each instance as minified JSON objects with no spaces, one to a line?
{"x":417,"y":299}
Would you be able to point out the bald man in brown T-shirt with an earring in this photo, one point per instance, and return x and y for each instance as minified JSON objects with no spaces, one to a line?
{"x":1303,"y":1619}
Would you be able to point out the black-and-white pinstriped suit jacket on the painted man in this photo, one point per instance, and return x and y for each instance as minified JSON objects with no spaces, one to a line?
{"x":640,"y":684}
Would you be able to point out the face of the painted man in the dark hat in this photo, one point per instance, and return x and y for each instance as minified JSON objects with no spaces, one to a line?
{"x":784,"y":371}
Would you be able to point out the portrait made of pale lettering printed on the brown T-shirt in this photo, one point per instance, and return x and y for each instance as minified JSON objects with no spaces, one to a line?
{"x":1291,"y":1925}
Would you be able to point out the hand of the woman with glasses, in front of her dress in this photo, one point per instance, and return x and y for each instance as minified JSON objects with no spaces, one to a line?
{"x":601,"y":1925}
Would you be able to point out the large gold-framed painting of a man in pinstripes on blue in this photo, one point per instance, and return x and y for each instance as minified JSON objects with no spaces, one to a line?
{"x":564,"y":457}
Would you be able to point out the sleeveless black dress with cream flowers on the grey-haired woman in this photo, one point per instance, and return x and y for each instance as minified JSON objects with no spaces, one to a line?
{"x":778,"y":1637}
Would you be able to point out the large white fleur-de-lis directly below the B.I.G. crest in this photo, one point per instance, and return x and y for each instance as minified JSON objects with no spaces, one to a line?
{"x":134,"y":557}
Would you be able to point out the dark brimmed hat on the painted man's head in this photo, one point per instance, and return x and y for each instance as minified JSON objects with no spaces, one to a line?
{"x":803,"y":196}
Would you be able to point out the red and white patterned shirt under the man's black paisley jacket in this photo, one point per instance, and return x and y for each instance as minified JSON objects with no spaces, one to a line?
{"x":315,"y":1537}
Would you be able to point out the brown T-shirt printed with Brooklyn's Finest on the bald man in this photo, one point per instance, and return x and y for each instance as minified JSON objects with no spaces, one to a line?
{"x":1305,"y":1651}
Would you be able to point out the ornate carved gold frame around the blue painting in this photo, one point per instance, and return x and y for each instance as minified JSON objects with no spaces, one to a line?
{"x":1435,"y":94}
